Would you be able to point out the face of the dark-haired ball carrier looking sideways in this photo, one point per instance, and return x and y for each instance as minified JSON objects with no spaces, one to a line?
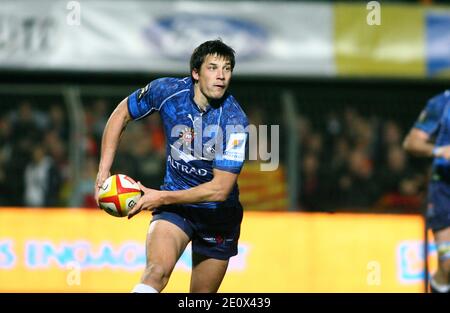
{"x":214,"y":76}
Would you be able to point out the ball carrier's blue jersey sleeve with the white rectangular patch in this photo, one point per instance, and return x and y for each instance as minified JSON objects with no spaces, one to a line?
{"x":231,"y":156}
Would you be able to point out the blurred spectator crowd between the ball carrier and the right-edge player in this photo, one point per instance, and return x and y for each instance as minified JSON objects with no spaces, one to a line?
{"x":357,"y":163}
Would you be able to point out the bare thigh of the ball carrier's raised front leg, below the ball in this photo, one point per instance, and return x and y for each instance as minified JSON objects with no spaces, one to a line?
{"x":165,"y":244}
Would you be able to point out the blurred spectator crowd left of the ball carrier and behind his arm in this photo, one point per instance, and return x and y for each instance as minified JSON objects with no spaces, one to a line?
{"x":35,"y":154}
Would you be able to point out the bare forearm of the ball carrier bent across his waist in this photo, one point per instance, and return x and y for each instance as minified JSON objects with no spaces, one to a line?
{"x":207,"y":192}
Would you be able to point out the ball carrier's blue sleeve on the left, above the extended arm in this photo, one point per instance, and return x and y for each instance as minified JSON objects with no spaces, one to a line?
{"x":149,"y":99}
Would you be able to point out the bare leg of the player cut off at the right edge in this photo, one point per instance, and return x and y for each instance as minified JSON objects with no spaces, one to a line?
{"x":441,"y":279}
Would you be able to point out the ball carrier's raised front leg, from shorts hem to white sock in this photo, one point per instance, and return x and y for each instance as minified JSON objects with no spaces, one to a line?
{"x":166,"y":240}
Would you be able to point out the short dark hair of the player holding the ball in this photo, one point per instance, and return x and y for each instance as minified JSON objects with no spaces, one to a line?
{"x":213,"y":47}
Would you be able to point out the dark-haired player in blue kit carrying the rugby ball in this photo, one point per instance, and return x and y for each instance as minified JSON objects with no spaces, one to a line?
{"x":199,"y":199}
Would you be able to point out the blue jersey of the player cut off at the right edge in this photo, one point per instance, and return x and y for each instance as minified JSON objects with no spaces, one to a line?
{"x":435,"y":121}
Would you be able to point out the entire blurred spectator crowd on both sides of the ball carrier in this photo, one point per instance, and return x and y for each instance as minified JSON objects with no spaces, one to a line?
{"x":353,"y":162}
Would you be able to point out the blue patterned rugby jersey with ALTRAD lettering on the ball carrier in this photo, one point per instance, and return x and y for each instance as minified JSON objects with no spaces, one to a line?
{"x":196,"y":141}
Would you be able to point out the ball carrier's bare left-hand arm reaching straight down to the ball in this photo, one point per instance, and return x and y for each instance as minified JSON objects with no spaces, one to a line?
{"x":116,"y":124}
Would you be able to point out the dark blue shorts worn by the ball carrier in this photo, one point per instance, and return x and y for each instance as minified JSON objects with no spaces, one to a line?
{"x":214,"y":232}
